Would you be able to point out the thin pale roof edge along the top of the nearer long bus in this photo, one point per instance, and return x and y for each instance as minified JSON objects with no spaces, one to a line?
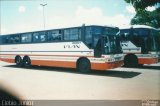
{"x":61,"y":28}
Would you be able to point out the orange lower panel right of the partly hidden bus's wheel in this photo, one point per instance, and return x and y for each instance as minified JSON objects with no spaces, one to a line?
{"x":147,"y":60}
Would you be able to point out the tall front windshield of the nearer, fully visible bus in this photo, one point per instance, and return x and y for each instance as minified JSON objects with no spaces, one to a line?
{"x":112,"y":41}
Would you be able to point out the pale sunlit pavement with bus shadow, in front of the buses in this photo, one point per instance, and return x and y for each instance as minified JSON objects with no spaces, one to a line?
{"x":57,"y":83}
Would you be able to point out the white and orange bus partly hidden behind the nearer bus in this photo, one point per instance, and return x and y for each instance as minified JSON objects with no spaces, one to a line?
{"x":140,"y":44}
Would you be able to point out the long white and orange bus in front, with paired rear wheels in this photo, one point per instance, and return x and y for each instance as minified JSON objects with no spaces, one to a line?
{"x":85,"y":48}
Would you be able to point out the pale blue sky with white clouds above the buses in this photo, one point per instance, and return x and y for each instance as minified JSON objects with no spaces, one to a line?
{"x":27,"y":15}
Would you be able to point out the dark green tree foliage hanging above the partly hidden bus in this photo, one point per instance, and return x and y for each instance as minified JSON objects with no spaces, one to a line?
{"x":145,"y":17}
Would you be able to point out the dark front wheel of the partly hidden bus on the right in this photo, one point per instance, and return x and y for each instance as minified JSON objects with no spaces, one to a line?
{"x":131,"y":61}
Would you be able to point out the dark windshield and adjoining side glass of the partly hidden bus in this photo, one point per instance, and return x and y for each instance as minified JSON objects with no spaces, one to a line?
{"x":145,"y":38}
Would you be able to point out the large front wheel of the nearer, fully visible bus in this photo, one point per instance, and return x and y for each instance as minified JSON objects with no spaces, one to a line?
{"x":83,"y":65}
